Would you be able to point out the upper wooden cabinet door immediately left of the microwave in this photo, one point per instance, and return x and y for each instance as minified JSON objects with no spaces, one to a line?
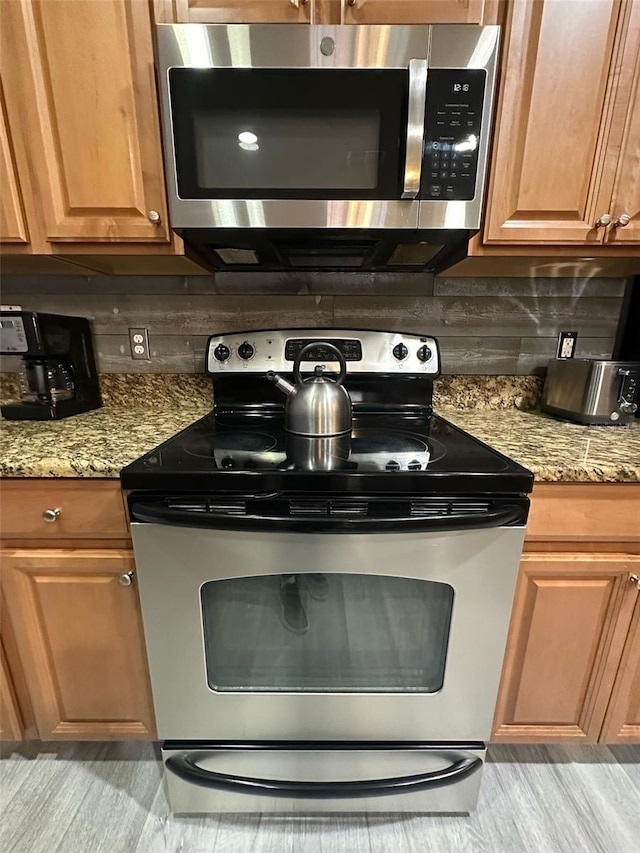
{"x":81,"y":101}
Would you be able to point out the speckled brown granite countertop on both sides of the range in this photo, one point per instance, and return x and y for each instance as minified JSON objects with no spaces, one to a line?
{"x":142,"y":411}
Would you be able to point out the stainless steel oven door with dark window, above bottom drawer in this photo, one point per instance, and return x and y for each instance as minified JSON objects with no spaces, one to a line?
{"x":272,"y":635}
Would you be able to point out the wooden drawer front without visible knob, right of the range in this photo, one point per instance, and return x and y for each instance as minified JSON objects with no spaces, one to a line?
{"x":598,"y":512}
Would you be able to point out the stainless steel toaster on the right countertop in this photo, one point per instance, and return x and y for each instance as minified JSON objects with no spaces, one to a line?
{"x":592,"y":391}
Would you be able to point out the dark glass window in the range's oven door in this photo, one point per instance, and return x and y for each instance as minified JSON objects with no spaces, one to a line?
{"x":333,"y":633}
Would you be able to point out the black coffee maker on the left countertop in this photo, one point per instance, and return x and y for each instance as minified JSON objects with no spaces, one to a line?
{"x":58,"y":376}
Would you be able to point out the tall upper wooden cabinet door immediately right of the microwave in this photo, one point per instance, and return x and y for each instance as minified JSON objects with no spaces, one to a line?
{"x":552,"y":121}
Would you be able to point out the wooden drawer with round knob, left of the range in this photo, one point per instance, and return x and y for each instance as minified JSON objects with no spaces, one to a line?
{"x":87,"y":509}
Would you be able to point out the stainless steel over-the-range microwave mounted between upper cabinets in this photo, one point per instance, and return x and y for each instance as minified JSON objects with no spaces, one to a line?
{"x":326,"y":146}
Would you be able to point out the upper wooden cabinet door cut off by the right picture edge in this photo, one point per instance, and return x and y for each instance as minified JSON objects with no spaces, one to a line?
{"x":626,"y":189}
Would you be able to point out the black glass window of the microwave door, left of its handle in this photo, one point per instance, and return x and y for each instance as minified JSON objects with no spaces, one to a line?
{"x":296,"y":133}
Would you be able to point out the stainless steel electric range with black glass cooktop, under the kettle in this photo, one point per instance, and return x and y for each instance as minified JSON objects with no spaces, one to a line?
{"x":332,"y":640}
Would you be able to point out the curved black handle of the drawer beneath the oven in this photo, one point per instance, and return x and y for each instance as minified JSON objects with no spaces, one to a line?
{"x":186,"y":768}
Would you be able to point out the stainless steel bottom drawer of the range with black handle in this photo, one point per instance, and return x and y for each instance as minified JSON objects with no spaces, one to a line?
{"x":309,"y":778}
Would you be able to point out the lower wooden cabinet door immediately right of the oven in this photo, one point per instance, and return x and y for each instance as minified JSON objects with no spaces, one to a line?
{"x":570,"y":619}
